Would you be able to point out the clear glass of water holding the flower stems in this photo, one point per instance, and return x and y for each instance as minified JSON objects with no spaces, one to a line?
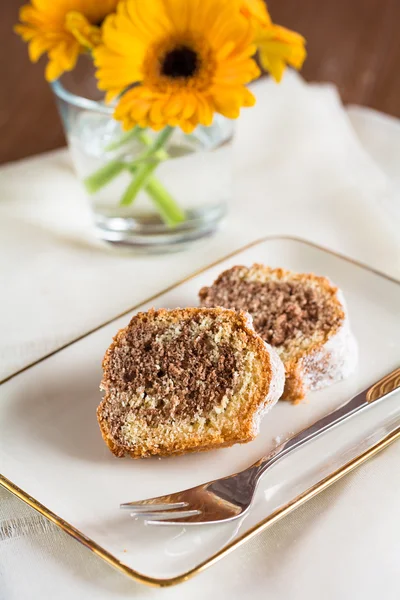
{"x":183,"y":199}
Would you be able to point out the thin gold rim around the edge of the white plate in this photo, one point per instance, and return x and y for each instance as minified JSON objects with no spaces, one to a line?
{"x":262,"y":525}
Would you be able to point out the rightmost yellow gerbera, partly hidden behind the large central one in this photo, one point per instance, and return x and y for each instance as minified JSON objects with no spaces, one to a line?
{"x":277,"y":45}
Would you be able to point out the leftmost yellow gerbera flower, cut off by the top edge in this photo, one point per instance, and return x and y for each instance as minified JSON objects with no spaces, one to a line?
{"x":62,"y":29}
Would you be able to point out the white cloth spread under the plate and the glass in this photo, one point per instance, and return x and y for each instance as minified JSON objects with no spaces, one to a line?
{"x":302,"y":168}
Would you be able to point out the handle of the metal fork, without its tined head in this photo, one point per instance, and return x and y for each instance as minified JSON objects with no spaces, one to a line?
{"x":378,"y":391}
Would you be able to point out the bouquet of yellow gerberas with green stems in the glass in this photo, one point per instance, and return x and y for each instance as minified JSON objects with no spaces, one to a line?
{"x":165,"y":66}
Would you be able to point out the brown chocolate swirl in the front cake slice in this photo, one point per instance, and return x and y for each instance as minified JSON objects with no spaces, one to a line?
{"x":172,"y":371}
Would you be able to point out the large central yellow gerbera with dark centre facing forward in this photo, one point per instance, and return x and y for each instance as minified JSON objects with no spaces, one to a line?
{"x":185,"y":58}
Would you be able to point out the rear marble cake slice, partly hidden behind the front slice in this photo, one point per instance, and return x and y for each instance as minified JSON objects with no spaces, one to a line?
{"x":302,"y":316}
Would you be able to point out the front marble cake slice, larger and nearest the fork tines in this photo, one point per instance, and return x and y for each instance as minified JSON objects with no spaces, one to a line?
{"x":186,"y":380}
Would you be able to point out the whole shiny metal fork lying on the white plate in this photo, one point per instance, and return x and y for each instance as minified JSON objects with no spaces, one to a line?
{"x":230,"y":497}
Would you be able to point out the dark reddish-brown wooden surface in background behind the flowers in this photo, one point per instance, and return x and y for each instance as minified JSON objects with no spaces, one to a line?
{"x":352,"y":43}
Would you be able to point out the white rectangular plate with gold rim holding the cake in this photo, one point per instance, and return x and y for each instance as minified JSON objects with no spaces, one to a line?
{"x":52,"y":455}
